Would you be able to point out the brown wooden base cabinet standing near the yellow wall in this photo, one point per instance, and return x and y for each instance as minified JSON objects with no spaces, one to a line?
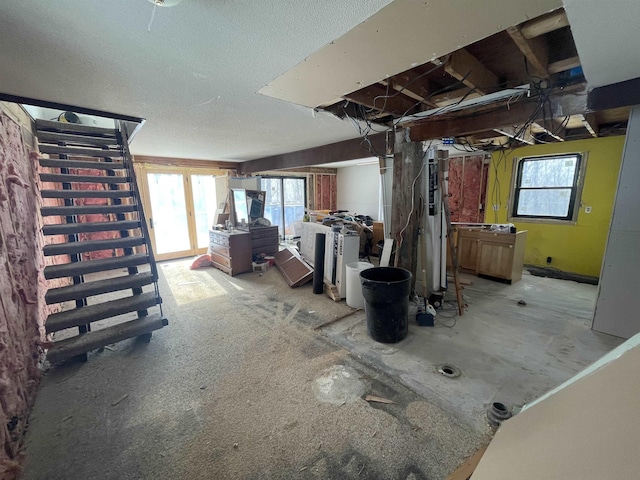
{"x":492,"y":254}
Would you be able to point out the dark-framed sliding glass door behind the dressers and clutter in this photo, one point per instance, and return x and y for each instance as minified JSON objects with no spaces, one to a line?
{"x":285,"y":203}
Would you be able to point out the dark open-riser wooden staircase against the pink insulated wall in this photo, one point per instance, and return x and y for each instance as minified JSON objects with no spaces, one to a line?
{"x":94,"y":163}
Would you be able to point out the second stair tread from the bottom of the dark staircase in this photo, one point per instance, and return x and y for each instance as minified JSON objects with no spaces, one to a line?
{"x":92,"y":313}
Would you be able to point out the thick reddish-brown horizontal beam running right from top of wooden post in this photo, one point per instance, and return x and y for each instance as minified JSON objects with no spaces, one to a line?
{"x":571,"y":102}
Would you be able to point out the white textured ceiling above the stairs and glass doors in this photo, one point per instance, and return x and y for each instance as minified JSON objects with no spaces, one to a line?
{"x":193,"y":76}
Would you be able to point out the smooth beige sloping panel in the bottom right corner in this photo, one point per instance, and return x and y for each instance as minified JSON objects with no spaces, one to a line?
{"x":587,"y":431}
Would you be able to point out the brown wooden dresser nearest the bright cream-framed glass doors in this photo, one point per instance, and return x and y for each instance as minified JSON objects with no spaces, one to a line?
{"x":230,"y":252}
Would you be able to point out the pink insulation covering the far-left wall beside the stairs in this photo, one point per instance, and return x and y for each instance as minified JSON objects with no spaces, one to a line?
{"x":22,"y":288}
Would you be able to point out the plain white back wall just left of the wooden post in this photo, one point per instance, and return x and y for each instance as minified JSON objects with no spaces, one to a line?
{"x":359,"y":189}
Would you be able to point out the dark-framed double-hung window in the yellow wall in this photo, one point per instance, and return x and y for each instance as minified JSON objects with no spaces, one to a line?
{"x":547,"y":187}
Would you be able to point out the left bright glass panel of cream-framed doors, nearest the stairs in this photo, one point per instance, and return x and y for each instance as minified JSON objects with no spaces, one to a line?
{"x":169,"y":218}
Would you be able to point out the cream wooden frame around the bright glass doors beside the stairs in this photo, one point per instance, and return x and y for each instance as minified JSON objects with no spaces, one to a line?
{"x":142,"y":171}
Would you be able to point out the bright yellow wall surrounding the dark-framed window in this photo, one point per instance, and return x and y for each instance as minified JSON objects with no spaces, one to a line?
{"x":575,"y":248}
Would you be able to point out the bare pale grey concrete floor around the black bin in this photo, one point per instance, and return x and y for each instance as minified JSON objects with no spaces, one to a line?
{"x":506,"y":352}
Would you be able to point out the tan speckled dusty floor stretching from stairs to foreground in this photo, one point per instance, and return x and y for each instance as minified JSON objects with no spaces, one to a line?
{"x":238,"y":386}
